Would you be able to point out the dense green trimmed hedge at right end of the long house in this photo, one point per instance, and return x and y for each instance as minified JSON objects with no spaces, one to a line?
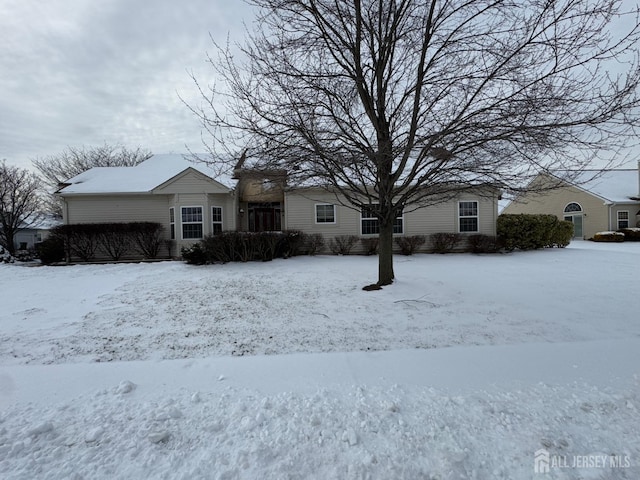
{"x":528,"y":232}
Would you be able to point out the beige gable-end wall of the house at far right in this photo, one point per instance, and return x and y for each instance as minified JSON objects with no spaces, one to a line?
{"x":595,"y":212}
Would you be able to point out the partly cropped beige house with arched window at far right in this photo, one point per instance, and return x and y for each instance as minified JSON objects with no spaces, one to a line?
{"x":594,"y":201}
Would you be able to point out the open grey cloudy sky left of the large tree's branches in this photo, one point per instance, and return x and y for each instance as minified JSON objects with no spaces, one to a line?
{"x":86,"y":72}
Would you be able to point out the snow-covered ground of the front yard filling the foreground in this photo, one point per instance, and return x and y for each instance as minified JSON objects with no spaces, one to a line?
{"x":134,"y":370}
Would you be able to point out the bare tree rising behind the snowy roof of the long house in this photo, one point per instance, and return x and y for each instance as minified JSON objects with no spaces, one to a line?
{"x":56,"y":169}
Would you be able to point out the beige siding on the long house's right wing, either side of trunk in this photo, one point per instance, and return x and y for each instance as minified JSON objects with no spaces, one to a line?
{"x":300,"y":215}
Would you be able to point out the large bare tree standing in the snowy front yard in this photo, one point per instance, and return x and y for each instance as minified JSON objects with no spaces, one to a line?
{"x":394,"y":104}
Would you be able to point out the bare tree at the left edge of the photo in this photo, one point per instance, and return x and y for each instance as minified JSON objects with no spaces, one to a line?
{"x":20,"y":202}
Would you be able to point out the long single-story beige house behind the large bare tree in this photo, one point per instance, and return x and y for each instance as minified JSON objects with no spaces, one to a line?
{"x":191,"y":203}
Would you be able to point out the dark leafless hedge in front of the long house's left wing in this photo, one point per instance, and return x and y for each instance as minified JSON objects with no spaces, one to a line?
{"x":89,"y":241}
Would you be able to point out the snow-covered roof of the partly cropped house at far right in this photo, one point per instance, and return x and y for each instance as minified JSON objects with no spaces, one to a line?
{"x":612,"y":185}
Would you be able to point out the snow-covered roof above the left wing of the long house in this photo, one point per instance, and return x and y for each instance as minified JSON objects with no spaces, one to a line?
{"x":142,"y":178}
